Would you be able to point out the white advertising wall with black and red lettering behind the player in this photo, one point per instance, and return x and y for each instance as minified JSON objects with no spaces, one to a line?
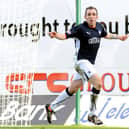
{"x":49,"y":55}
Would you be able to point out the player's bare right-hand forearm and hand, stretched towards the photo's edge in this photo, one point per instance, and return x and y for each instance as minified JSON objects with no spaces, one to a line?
{"x":115,"y":36}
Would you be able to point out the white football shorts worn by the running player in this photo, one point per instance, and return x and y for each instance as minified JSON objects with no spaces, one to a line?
{"x":84,"y":70}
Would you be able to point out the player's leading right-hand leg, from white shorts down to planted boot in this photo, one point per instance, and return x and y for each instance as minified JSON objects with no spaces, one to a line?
{"x":88,"y":72}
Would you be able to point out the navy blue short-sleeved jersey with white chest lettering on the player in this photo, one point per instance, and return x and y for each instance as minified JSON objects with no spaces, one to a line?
{"x":89,"y":40}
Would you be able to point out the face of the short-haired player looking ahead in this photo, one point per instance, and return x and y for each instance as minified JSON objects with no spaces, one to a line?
{"x":91,"y":17}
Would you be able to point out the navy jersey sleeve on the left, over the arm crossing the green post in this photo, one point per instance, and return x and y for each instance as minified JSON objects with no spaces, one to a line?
{"x":73,"y":33}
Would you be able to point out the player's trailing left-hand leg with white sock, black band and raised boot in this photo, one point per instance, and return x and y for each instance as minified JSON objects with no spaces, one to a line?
{"x":67,"y":93}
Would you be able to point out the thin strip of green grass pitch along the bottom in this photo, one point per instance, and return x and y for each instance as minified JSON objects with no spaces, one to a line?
{"x":65,"y":127}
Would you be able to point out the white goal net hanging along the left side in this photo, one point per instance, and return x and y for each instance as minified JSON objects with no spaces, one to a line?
{"x":18,"y":42}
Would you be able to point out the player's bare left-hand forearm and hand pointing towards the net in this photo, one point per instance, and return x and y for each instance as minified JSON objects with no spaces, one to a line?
{"x":56,"y":35}
